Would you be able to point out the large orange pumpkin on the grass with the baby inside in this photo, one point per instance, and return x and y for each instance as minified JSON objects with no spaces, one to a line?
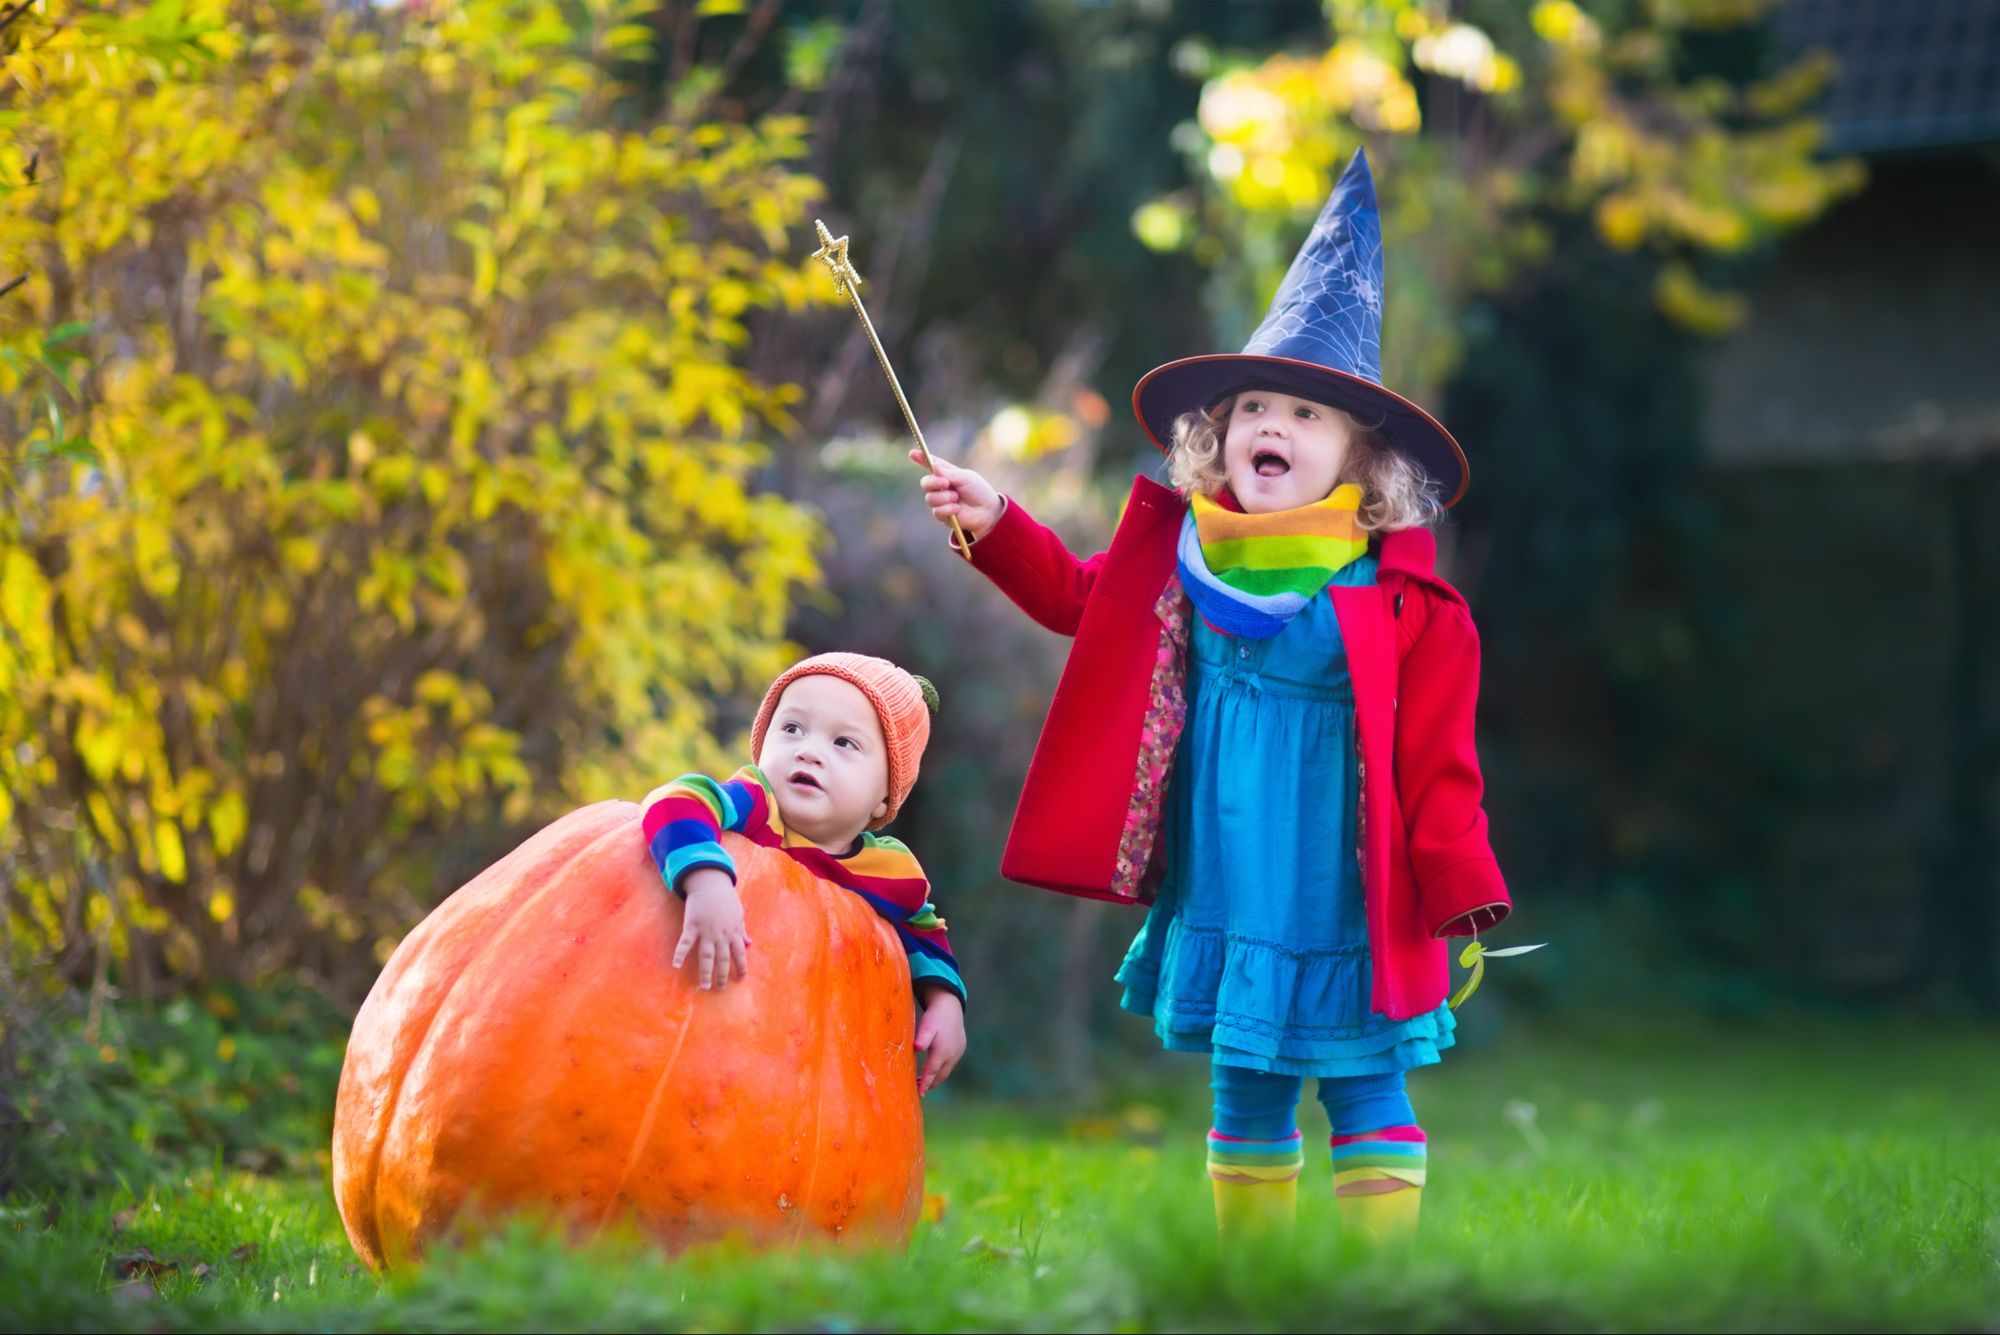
{"x":533,"y":1046}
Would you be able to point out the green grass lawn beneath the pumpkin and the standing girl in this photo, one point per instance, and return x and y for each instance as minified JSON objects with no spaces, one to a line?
{"x":1829,"y":1180}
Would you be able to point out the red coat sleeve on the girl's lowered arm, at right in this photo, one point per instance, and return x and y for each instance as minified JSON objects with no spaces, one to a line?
{"x":1439,"y":778}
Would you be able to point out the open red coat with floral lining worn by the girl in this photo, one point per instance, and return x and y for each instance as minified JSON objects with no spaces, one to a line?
{"x":1091,"y":810}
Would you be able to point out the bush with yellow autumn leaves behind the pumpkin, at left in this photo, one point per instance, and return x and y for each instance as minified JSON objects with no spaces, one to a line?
{"x":405,"y":487}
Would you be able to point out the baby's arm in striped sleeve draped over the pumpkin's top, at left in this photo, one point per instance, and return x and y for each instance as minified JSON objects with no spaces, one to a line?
{"x":683,"y":824}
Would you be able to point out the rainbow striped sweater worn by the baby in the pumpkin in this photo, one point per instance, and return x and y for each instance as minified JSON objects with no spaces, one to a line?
{"x":685,"y":822}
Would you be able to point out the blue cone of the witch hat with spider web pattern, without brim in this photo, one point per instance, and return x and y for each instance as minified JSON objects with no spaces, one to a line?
{"x":1331,"y":299}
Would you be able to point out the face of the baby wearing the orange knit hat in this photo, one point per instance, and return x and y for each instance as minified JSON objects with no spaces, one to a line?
{"x":827,"y":762}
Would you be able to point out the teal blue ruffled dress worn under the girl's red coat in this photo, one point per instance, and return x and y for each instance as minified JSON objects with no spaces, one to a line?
{"x":1257,"y":948}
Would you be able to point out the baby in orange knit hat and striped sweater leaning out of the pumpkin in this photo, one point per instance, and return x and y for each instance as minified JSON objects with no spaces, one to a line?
{"x":837,"y":742}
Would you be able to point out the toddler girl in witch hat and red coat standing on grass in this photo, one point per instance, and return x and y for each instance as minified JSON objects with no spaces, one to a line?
{"x":1307,"y":732}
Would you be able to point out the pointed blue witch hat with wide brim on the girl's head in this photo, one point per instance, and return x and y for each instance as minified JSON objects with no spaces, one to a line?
{"x":1321,"y":341}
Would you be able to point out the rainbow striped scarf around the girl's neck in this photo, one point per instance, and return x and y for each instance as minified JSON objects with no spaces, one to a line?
{"x":1249,"y":575}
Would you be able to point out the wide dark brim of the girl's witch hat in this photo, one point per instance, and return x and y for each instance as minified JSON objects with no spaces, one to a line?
{"x":1181,"y":387}
